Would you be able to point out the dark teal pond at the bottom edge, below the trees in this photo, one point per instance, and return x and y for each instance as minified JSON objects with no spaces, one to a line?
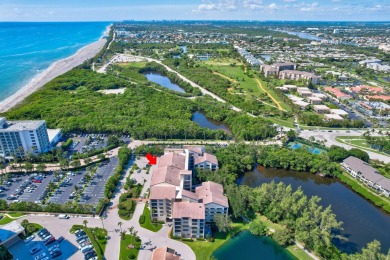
{"x":247,"y":246}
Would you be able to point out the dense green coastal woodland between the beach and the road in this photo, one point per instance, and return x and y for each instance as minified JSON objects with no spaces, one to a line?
{"x":71,"y":102}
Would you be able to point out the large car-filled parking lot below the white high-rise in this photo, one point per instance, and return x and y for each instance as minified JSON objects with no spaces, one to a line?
{"x":67,"y":185}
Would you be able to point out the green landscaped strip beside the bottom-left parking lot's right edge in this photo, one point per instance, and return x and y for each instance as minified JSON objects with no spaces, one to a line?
{"x":97,"y":236}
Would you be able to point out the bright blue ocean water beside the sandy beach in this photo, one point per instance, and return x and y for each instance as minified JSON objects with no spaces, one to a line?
{"x":26,"y":49}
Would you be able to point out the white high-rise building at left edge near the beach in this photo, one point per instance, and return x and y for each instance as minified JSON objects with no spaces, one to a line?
{"x":19,"y":137}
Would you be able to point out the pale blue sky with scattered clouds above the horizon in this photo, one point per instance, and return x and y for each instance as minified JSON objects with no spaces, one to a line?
{"x":117,"y":10}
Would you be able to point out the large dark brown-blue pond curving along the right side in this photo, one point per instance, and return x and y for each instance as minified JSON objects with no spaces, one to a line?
{"x":363,"y":222}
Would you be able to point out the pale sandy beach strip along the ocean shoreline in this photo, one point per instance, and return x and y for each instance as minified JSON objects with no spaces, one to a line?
{"x":56,"y":69}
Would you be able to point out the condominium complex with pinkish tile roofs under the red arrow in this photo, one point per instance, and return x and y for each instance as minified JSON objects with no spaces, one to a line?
{"x":172,"y":197}
